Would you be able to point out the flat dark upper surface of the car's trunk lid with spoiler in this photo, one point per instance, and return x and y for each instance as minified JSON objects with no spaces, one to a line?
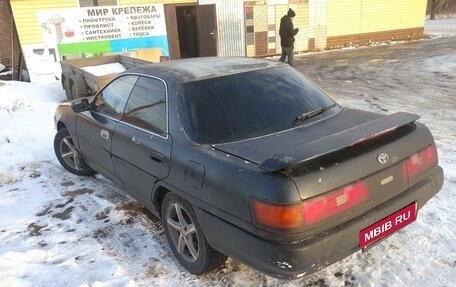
{"x":305,"y":143}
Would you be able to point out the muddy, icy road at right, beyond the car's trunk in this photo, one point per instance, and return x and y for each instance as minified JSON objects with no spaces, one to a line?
{"x":417,"y":77}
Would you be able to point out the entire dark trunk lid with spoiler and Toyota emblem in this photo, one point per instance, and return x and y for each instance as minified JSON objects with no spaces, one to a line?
{"x":338,"y":151}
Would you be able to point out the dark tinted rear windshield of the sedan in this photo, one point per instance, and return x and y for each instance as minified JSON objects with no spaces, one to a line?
{"x":249,"y":104}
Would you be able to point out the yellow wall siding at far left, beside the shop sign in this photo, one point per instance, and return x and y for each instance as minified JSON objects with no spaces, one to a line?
{"x":24,"y":13}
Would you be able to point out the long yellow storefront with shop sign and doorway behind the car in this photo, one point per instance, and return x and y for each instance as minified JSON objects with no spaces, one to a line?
{"x":182,"y":28}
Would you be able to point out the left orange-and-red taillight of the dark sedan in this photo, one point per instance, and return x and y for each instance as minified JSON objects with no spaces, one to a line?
{"x":310,"y":211}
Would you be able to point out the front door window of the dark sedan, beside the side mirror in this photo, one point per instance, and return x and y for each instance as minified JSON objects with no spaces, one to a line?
{"x":111,"y":100}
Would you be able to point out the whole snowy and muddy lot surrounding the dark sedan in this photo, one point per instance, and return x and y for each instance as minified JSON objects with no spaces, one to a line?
{"x":86,"y":231}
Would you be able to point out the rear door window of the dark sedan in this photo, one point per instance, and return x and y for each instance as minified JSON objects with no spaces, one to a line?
{"x":146,"y":107}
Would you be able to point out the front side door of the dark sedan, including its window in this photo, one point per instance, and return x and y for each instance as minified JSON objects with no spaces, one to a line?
{"x":94,"y":128}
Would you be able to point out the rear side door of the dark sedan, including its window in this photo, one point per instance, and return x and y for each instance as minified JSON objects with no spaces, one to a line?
{"x":141,"y":145}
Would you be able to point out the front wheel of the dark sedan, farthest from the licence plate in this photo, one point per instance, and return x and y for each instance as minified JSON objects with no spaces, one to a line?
{"x":67,"y":154}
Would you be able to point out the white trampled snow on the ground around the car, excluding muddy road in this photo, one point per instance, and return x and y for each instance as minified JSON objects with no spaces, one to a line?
{"x":57,"y":229}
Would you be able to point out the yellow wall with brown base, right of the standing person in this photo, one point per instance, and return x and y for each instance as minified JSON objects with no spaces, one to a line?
{"x":361,"y":21}
